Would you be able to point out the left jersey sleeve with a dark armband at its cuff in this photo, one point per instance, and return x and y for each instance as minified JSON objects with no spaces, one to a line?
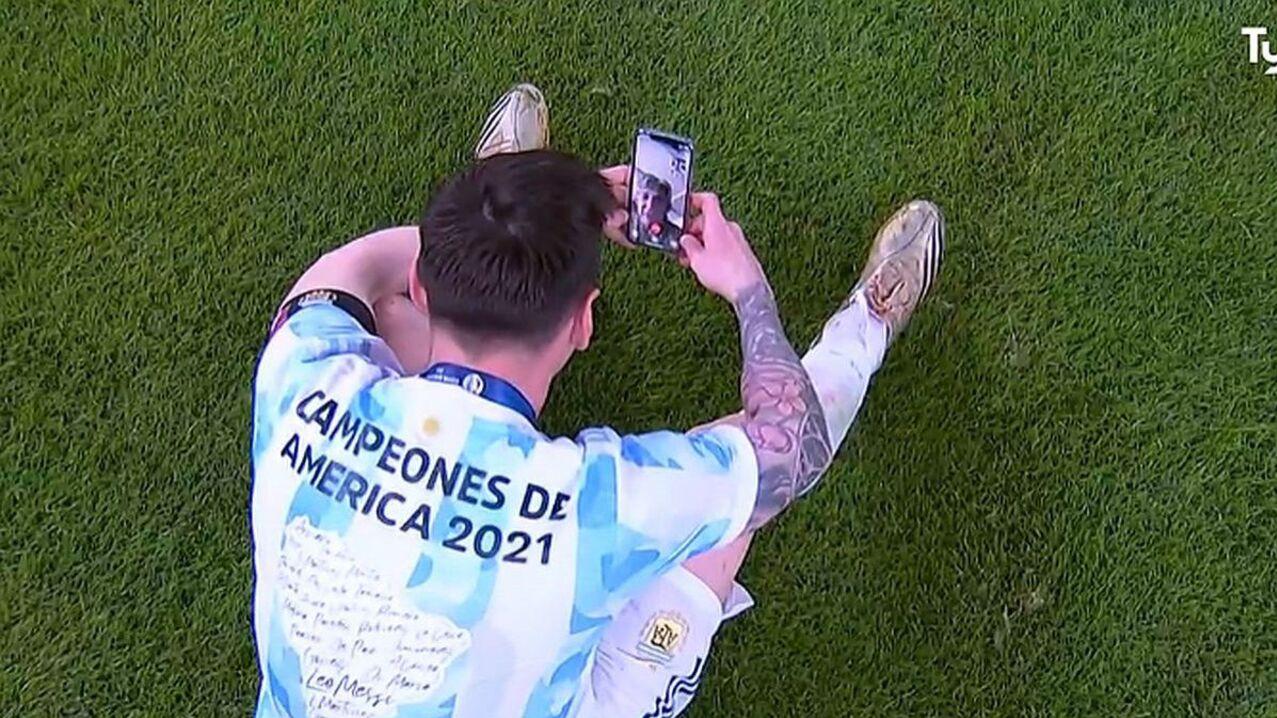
{"x":321,"y":340}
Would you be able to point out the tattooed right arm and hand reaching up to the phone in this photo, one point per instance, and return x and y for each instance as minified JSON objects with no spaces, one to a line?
{"x":782,"y":417}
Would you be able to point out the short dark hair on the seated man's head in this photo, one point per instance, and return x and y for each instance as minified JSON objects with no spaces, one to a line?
{"x":511,"y":245}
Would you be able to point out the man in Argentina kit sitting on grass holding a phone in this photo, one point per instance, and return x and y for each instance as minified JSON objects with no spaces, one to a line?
{"x":422,"y":549}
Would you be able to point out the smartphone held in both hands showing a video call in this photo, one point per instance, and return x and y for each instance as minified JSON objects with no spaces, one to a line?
{"x":661,"y":190}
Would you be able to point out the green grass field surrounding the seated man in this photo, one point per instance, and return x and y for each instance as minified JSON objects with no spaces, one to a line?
{"x":1062,"y":496}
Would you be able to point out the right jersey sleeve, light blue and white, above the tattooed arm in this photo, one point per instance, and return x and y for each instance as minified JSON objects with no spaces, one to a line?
{"x":654,"y":500}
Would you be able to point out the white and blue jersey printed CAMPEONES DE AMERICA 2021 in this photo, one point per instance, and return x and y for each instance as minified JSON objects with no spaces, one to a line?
{"x":422,"y":550}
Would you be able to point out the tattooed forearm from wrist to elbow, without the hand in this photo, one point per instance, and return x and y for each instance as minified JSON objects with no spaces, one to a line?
{"x":782,"y":413}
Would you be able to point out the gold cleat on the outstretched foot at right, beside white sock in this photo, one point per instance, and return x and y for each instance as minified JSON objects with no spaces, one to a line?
{"x":903,"y":264}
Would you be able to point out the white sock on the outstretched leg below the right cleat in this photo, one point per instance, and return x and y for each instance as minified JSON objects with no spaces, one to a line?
{"x":850,"y":351}
